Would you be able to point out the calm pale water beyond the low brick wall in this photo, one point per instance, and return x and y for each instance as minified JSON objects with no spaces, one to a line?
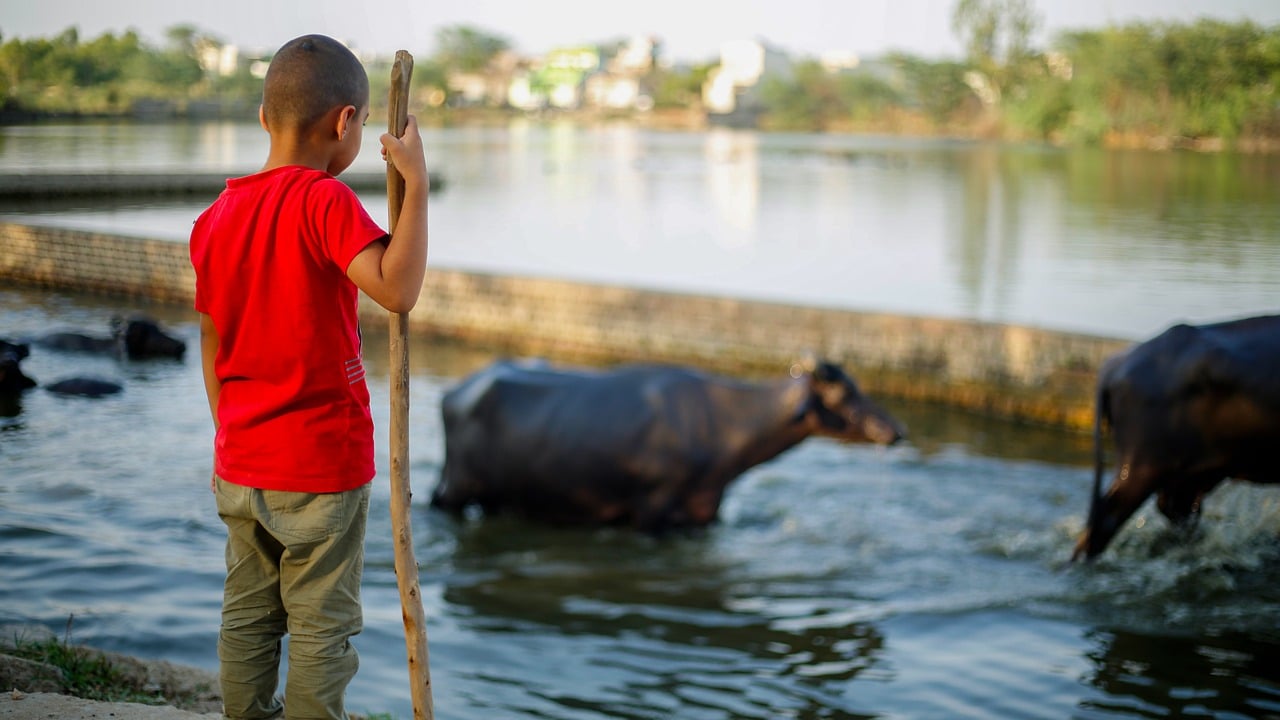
{"x":1105,"y":243}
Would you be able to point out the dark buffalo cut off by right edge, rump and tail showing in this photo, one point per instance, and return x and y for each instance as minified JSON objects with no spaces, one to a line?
{"x":1188,"y":409}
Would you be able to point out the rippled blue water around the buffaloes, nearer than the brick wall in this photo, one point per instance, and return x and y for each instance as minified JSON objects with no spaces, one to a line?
{"x":922,"y":581}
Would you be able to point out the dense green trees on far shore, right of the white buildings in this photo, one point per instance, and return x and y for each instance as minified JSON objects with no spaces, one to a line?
{"x":1144,"y":83}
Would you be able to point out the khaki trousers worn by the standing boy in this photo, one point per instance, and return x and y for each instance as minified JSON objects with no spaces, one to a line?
{"x":294,"y":566}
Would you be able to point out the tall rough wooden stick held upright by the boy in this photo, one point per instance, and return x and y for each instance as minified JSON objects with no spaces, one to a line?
{"x":406,"y":567}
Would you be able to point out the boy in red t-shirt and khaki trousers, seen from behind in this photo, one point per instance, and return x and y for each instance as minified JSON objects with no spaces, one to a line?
{"x":278,"y":259}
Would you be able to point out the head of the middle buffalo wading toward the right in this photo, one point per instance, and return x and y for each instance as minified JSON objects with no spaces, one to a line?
{"x":839,"y":411}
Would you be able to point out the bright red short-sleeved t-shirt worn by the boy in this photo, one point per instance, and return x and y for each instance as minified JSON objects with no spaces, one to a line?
{"x":271,"y":258}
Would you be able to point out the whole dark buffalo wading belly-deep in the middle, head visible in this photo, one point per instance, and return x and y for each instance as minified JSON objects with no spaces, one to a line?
{"x":652,"y":448}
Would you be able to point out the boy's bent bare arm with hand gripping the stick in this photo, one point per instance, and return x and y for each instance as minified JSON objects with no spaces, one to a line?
{"x":392,"y":274}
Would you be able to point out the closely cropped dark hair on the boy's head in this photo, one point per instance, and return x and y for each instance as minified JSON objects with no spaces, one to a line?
{"x":310,"y":76}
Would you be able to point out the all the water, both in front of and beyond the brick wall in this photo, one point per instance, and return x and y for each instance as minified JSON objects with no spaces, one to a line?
{"x":922,"y":581}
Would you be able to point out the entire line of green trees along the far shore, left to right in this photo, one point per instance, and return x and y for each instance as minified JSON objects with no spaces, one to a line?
{"x":1139,"y":83}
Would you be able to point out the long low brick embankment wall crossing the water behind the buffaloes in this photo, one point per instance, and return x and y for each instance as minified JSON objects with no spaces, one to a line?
{"x":1014,"y":372}
